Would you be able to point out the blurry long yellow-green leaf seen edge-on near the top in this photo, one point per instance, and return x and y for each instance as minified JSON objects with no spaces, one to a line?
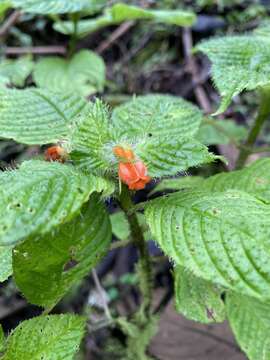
{"x":121,"y":12}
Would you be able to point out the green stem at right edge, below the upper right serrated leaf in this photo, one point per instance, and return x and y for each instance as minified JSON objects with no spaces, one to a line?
{"x":263,"y":114}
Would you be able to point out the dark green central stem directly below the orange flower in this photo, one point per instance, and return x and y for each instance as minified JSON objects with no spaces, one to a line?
{"x":144,"y":263}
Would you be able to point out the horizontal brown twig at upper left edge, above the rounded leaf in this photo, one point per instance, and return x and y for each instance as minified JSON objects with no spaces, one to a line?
{"x":35,"y":50}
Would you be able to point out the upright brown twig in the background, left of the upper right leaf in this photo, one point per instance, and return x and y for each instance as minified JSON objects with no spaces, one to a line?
{"x":193,"y":70}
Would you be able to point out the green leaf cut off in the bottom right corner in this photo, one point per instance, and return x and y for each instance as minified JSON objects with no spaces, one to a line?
{"x":250,"y":322}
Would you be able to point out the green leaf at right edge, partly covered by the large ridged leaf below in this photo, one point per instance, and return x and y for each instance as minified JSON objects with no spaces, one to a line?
{"x":254,"y":179}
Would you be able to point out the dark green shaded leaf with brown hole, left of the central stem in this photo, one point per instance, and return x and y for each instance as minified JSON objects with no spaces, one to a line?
{"x":46,"y":267}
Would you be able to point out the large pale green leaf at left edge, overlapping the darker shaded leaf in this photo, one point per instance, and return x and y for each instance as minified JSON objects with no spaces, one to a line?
{"x":40,"y":196}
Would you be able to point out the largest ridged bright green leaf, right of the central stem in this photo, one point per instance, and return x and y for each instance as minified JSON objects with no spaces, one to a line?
{"x":221,"y":237}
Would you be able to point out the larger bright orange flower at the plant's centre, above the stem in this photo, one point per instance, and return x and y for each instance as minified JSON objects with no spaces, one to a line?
{"x":134,"y":175}
